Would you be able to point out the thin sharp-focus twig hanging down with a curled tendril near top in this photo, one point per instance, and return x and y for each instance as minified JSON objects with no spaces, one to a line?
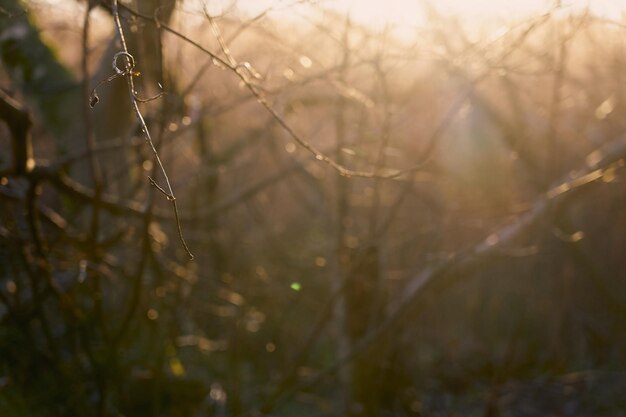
{"x":128,"y":72}
